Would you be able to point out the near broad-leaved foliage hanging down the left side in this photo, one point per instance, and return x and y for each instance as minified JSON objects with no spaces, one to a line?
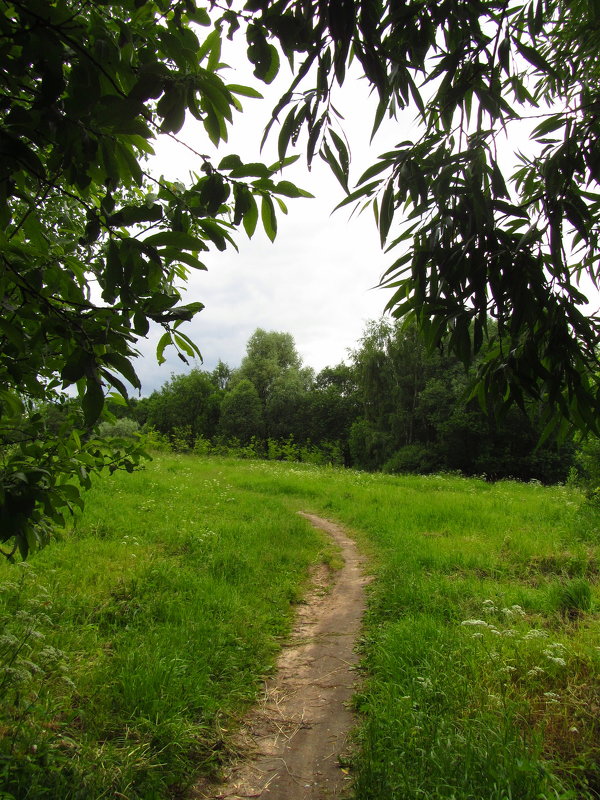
{"x":94,"y":248}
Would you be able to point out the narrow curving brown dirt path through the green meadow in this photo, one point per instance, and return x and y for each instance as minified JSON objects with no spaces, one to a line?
{"x":298,"y":731}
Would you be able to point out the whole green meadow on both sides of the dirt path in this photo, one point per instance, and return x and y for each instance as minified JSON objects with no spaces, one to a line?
{"x":130,"y":648}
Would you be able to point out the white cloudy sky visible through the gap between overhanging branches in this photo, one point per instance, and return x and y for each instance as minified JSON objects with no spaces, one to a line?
{"x":315,"y":281}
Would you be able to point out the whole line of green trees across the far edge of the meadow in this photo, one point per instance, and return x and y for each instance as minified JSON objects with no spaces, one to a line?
{"x":396,"y":407}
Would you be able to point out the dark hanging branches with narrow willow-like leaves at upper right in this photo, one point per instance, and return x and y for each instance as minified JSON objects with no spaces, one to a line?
{"x":474,"y":242}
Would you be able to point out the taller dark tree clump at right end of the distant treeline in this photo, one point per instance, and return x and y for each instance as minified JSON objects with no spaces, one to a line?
{"x":417,"y":416}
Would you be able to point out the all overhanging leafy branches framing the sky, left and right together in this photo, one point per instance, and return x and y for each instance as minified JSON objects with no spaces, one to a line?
{"x":94,"y":248}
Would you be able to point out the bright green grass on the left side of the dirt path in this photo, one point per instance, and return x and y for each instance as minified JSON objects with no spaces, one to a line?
{"x":164,"y":608}
